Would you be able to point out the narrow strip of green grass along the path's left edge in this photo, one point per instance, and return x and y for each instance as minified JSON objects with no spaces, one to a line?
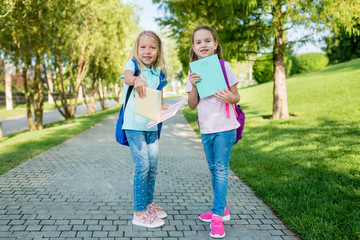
{"x":20,"y":147}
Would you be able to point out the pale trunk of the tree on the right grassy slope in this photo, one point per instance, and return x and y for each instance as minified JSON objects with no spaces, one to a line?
{"x":280,"y":106}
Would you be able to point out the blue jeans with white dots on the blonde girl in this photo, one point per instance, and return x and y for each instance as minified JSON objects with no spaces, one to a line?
{"x":144,"y":150}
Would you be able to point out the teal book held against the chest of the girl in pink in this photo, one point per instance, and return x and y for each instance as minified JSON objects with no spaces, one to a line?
{"x":210,"y":72}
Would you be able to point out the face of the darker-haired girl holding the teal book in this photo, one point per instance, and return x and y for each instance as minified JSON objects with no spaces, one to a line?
{"x":204,"y":44}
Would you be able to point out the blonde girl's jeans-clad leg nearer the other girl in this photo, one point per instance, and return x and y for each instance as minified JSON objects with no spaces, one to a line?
{"x":153,"y":152}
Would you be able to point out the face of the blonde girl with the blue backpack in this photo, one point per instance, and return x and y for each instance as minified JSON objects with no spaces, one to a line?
{"x":147,"y":50}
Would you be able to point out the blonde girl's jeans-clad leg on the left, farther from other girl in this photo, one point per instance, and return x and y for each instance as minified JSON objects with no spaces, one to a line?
{"x":137,"y":143}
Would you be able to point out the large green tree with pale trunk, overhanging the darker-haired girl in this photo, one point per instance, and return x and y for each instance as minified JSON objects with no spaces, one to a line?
{"x":253,"y":26}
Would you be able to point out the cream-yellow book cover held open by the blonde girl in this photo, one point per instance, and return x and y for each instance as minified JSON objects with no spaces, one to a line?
{"x":150,"y":106}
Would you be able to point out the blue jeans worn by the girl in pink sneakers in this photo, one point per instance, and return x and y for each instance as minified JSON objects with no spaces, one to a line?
{"x":217,"y":147}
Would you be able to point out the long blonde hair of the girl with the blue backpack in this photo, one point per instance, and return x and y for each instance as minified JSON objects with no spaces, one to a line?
{"x":159,"y":62}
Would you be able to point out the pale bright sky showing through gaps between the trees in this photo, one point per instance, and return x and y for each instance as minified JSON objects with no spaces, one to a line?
{"x":150,"y":11}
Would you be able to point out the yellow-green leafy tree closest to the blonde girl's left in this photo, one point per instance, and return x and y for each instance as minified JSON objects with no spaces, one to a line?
{"x":111,"y":47}
